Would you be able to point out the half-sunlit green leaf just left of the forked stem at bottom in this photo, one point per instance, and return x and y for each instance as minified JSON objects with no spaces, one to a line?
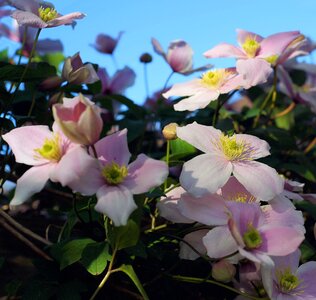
{"x":95,"y":257}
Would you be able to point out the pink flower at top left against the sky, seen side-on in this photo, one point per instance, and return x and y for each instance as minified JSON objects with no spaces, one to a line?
{"x":31,"y":13}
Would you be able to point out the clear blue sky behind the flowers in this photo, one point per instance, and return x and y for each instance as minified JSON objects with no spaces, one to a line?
{"x":202,"y":23}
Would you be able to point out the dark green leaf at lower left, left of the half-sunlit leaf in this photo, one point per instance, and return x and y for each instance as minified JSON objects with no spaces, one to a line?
{"x":72,"y":251}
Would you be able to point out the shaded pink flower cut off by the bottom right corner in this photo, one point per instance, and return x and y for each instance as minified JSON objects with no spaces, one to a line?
{"x":289,"y":281}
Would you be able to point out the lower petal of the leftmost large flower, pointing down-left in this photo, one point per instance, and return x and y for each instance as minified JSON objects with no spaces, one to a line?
{"x":30,"y":183}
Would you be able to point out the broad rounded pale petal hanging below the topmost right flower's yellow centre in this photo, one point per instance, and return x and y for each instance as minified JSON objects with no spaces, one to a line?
{"x":254,"y":71}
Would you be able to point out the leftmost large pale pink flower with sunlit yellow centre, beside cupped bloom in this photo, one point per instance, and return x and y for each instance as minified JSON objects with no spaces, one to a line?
{"x":37,"y":146}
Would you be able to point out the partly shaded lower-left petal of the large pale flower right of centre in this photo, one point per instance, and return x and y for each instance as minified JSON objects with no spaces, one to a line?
{"x":205,"y":174}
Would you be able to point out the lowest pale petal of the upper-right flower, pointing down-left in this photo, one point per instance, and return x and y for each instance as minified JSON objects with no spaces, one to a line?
{"x":197,"y":101}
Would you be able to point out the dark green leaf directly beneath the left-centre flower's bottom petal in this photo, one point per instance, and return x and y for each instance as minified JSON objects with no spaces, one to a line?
{"x":124,"y":236}
